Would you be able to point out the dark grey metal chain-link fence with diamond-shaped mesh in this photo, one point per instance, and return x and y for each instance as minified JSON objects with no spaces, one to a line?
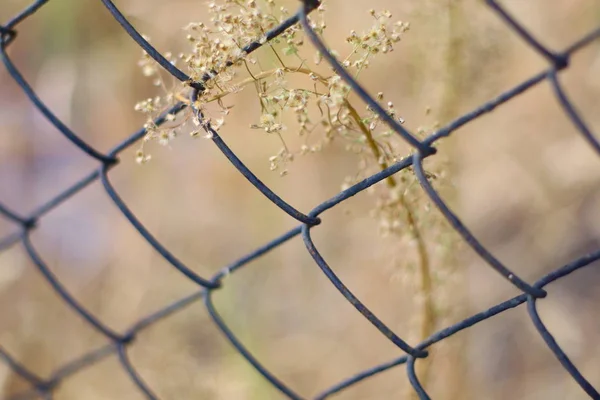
{"x":42,"y":387}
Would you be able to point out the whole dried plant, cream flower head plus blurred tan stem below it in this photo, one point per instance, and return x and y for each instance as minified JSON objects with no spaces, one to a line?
{"x":294,"y":87}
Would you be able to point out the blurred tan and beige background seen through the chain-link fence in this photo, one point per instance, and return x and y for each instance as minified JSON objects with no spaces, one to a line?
{"x":521,"y":178}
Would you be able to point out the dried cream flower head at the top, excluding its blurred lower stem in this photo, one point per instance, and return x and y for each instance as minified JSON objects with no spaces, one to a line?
{"x":318,"y":102}
